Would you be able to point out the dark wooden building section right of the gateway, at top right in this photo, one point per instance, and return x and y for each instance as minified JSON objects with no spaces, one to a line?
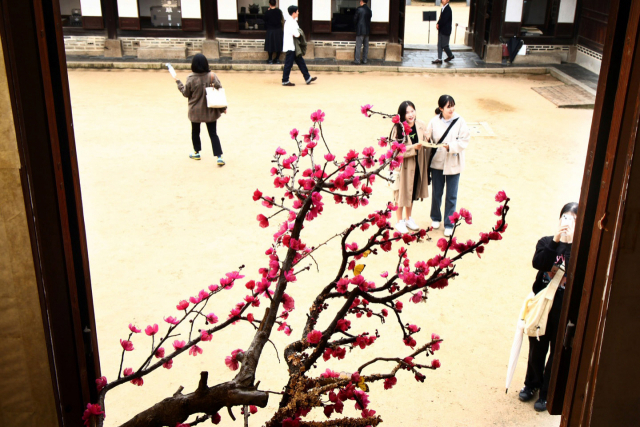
{"x":571,"y":29}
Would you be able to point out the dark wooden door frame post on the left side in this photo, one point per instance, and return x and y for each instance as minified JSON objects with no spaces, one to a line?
{"x":34,"y":54}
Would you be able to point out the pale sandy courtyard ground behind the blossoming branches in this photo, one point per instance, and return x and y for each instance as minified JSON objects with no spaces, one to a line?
{"x":160,"y":226}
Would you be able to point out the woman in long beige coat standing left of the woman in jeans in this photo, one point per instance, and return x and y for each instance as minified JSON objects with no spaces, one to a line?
{"x":414,"y":171}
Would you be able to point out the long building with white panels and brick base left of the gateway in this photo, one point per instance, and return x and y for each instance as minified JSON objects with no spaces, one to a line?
{"x":231,"y":28}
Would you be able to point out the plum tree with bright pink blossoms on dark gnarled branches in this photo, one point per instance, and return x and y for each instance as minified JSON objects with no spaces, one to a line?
{"x":307,"y":180}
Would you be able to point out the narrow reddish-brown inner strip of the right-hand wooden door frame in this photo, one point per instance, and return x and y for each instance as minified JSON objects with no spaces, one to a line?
{"x":592,"y":266}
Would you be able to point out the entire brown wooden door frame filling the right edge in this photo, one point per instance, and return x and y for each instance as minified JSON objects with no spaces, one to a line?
{"x":595,"y":368}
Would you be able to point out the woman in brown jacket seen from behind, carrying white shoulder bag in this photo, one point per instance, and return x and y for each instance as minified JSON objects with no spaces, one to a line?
{"x":195,"y":90}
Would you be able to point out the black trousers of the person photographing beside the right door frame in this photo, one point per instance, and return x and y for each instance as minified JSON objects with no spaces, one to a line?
{"x":539,"y":374}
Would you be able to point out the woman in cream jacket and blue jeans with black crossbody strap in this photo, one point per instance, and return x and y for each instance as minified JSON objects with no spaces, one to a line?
{"x":448,"y":161}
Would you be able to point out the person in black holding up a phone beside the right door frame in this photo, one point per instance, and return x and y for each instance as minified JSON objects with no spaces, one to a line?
{"x":550,"y":251}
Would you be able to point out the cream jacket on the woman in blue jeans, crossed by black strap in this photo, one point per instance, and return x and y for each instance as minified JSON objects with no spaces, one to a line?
{"x":451,"y":162}
